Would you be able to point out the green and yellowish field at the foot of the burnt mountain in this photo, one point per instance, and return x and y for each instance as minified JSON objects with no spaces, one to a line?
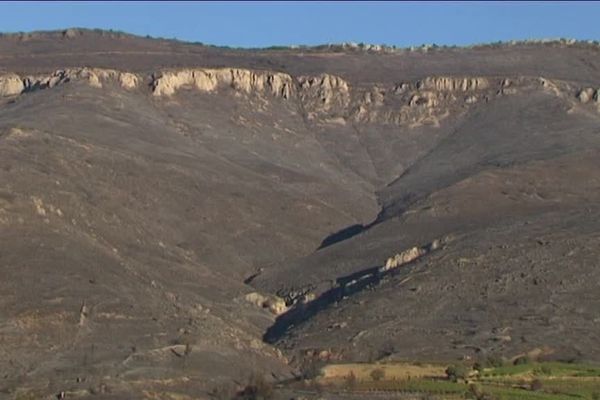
{"x":535,"y":381}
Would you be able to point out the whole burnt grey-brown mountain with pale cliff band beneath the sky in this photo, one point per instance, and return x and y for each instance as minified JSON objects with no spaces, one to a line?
{"x":175,"y":216}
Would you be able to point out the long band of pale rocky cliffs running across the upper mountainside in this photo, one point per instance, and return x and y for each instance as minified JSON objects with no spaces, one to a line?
{"x":324,"y":98}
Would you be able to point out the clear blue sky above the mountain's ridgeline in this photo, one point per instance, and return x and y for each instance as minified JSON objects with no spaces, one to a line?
{"x":259,"y":24}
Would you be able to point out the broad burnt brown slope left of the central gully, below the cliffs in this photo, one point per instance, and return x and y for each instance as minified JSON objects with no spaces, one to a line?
{"x":129,"y":225}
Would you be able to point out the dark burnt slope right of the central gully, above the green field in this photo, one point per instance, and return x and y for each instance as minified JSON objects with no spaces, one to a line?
{"x":512,"y":196}
